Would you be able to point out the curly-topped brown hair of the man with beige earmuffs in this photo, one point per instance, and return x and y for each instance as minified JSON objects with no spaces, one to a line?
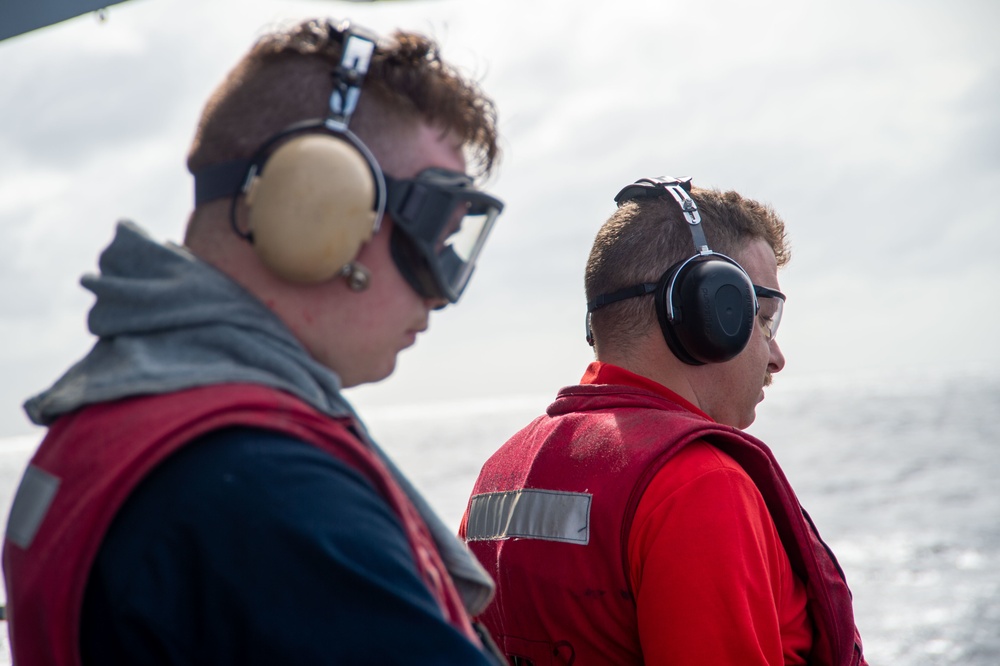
{"x":287,"y":77}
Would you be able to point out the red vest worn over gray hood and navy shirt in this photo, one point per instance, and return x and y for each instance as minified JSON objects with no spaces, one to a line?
{"x":91,"y":461}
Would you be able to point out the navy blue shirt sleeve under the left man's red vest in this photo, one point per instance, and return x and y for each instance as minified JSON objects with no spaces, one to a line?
{"x":250,"y":547}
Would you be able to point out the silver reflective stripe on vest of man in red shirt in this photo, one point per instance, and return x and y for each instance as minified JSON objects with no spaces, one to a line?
{"x":530,"y":514}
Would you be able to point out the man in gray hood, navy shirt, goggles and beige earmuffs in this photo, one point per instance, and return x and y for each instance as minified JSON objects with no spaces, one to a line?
{"x":205,"y":493}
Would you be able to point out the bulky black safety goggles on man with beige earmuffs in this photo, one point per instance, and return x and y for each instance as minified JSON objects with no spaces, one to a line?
{"x":440,"y":224}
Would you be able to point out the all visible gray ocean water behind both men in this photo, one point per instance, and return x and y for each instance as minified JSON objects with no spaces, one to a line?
{"x":901,"y":475}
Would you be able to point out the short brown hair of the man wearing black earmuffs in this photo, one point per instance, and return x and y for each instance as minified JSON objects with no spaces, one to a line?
{"x":643,"y":238}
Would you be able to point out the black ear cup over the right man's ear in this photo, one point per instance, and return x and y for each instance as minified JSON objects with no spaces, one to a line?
{"x":713,"y":309}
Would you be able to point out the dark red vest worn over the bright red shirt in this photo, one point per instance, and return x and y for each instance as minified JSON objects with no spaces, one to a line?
{"x":551,"y":514}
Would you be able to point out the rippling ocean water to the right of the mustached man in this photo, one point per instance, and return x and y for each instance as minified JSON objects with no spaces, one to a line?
{"x":903,"y":481}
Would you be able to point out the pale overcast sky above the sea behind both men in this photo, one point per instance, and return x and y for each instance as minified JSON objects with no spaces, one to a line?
{"x":871,"y":126}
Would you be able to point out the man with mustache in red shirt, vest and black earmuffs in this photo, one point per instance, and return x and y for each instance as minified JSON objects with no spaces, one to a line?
{"x":635,"y":522}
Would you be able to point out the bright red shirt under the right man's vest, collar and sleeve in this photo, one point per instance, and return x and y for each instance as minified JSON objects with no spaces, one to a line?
{"x":713,"y":583}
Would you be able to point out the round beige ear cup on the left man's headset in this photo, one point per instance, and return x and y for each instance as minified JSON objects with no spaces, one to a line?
{"x":310,"y":211}
